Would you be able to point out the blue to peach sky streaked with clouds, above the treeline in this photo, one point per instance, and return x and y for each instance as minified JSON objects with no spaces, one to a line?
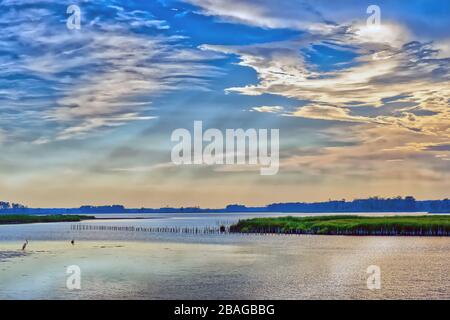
{"x":86,"y":115}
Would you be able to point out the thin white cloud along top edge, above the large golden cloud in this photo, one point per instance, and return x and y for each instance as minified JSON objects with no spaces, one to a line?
{"x":324,"y":16}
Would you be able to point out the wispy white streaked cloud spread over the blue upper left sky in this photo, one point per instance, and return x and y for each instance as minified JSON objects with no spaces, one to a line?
{"x":104,"y":75}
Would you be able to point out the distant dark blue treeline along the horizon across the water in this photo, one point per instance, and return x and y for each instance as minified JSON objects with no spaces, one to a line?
{"x":374,"y":204}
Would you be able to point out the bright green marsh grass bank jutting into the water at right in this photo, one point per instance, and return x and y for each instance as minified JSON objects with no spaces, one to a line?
{"x":348,"y":225}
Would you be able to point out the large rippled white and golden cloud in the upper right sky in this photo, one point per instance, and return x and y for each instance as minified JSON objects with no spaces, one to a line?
{"x":380,"y":71}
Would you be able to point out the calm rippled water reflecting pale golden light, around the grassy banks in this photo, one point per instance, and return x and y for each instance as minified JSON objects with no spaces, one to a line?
{"x":139,"y":265}
